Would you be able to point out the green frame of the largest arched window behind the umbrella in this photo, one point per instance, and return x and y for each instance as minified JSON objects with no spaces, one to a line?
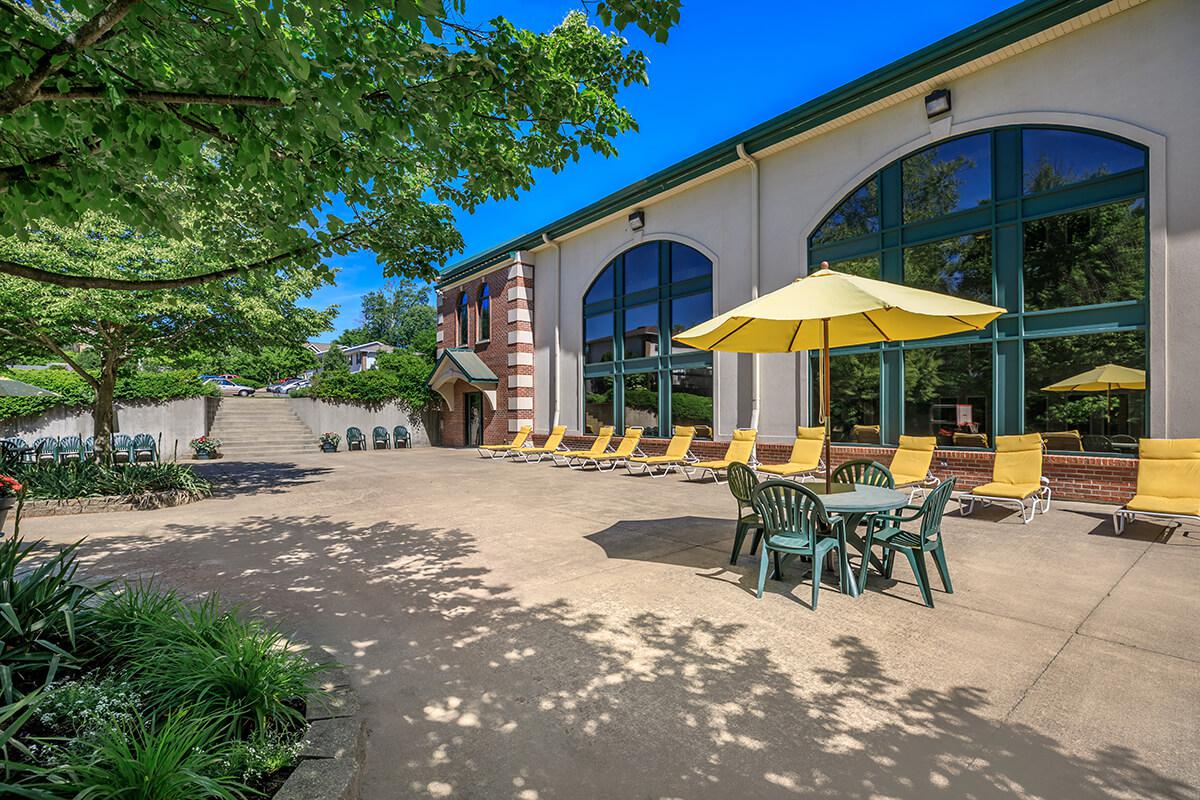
{"x":881,"y":236}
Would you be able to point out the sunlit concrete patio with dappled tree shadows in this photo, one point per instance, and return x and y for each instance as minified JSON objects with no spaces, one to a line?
{"x":532,"y":633}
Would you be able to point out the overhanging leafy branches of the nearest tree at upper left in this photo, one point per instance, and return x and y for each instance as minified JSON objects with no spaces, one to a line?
{"x":399,"y":110}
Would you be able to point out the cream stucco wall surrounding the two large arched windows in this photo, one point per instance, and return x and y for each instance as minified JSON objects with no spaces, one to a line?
{"x":1133,"y":74}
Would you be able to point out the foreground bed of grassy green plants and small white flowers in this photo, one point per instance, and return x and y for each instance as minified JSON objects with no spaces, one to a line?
{"x":135,"y":691}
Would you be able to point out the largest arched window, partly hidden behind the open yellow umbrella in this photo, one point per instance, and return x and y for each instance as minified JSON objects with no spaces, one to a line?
{"x":1049,"y":224}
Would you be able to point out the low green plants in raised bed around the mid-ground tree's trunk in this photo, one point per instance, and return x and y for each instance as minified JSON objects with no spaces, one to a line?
{"x":70,"y":480}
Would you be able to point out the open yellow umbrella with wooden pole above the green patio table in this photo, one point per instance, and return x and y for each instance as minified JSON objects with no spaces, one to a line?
{"x":827,"y":310}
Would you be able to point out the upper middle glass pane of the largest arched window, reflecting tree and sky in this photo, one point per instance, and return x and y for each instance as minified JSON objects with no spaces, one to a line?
{"x":947,"y":178}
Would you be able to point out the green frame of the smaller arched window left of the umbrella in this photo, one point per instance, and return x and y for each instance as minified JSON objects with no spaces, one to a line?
{"x":663,"y":294}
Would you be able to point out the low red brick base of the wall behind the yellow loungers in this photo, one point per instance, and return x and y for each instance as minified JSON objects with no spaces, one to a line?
{"x":1095,"y":479}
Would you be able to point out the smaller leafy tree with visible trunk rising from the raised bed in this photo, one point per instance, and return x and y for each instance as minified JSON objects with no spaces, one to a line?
{"x":249,"y":311}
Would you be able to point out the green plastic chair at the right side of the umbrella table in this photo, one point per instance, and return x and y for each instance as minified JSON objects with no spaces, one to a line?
{"x":886,"y":532}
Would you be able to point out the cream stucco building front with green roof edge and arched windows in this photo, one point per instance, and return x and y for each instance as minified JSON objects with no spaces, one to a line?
{"x":1059,"y":184}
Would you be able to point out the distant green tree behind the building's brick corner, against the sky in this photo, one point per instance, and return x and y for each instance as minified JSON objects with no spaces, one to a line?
{"x":401,"y":316}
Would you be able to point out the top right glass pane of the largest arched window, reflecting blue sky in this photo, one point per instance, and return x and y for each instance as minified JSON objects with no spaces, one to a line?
{"x":1054,"y":159}
